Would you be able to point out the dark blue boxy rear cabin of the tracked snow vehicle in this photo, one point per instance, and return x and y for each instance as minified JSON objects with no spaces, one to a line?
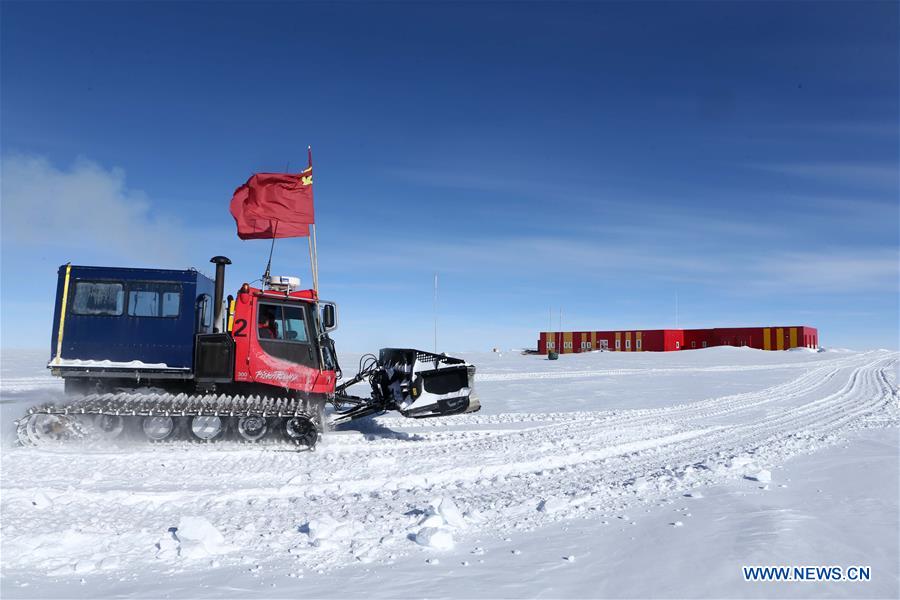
{"x":124,"y":315}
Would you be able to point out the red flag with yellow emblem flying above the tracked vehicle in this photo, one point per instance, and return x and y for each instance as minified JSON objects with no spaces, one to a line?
{"x":274,"y":205}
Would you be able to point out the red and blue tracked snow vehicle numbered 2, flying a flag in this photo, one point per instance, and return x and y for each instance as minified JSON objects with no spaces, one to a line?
{"x":164,"y":355}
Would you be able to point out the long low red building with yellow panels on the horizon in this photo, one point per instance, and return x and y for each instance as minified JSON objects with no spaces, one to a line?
{"x":666,"y":340}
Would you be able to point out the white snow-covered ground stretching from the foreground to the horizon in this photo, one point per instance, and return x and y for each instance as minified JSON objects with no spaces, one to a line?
{"x":537,"y":493}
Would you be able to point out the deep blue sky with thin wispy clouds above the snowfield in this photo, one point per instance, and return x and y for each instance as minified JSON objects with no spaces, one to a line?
{"x":598,"y":157}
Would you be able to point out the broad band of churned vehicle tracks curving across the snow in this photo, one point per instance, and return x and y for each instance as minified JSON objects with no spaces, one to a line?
{"x":603,"y":461}
